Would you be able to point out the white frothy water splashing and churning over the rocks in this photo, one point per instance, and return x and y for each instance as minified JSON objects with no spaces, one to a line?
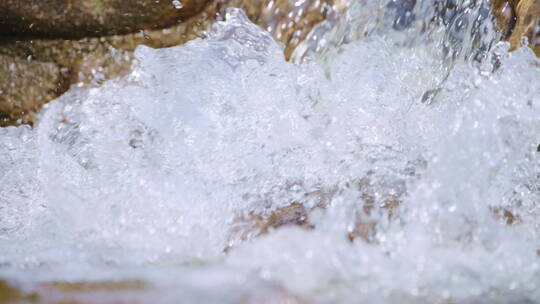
{"x":411,"y":118}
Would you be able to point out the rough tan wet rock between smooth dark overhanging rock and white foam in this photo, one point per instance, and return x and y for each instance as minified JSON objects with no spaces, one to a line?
{"x":45,"y":68}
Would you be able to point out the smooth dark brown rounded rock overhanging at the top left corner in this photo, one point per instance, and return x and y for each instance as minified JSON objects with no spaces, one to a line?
{"x":86,"y":18}
